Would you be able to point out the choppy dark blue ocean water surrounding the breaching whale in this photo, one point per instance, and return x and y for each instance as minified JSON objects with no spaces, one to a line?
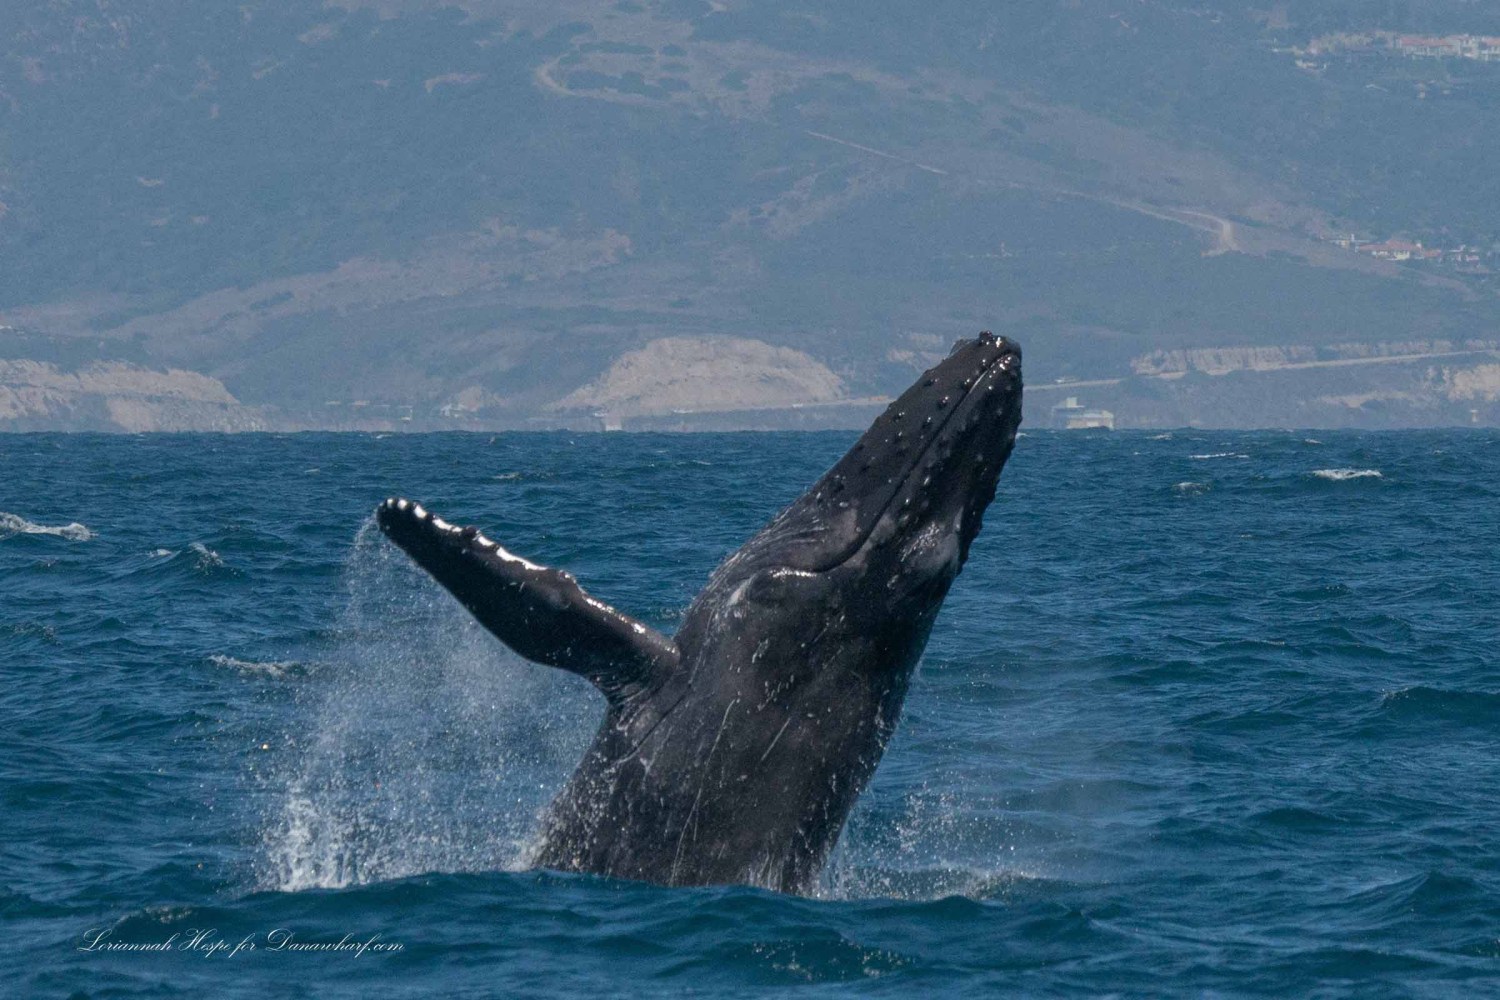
{"x":1207,"y":714}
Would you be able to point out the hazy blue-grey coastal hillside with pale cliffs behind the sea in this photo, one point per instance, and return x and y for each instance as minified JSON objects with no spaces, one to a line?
{"x":485,"y":215}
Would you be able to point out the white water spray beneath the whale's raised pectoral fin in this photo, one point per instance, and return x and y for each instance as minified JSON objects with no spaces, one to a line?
{"x":430,"y":747}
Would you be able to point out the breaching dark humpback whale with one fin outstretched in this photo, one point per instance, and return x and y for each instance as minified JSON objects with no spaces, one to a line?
{"x":734,"y":750}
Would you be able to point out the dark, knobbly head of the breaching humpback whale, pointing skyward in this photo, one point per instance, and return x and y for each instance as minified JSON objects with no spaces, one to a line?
{"x":878,"y":540}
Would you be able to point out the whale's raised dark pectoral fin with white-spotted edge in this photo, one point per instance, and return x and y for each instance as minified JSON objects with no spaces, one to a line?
{"x":539,"y":612}
